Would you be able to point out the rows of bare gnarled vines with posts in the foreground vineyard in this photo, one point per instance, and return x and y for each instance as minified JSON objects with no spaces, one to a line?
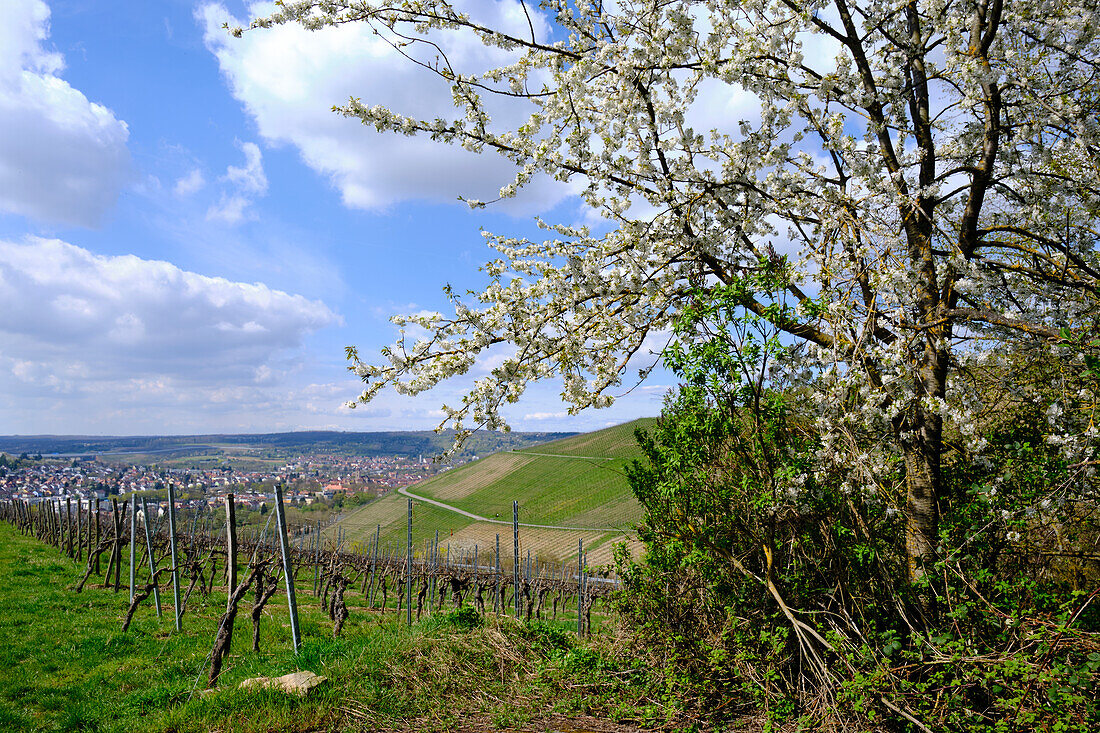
{"x":137,"y":546}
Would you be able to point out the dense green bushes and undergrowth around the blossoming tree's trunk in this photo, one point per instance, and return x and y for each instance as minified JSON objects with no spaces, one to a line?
{"x":767,"y":586}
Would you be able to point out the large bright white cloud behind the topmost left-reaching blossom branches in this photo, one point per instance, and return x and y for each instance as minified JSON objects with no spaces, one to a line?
{"x":290,"y":79}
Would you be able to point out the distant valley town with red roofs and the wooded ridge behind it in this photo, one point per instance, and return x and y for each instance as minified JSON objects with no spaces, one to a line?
{"x":323,"y":474}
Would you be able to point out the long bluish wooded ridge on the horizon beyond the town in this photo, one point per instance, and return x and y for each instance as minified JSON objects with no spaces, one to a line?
{"x":397,"y":443}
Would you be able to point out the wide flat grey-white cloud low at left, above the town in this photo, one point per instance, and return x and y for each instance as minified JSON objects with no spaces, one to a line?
{"x":71,"y":319}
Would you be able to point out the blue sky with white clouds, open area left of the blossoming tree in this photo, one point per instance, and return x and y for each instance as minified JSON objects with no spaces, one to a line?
{"x":190,"y":237}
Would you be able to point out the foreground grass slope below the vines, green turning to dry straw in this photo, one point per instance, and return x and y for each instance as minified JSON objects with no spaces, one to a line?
{"x":65,"y":665}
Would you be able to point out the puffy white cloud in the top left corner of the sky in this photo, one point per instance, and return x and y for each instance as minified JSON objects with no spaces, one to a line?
{"x":63,"y":159}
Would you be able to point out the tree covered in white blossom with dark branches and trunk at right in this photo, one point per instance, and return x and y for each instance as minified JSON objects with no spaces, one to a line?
{"x":930,"y":168}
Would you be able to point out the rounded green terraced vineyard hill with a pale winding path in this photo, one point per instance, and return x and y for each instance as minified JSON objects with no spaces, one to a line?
{"x":575,"y":489}
